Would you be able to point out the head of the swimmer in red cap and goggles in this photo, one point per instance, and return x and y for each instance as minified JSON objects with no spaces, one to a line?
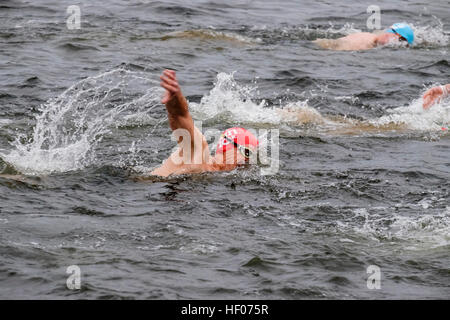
{"x":236,"y":146}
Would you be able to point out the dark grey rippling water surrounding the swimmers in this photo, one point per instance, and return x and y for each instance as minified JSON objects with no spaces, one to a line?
{"x":339,"y":203}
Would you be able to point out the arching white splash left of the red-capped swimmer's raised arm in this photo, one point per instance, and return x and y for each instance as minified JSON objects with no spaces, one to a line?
{"x":69,"y":127}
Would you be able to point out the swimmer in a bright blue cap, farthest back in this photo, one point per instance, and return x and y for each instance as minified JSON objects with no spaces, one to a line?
{"x":398,"y":32}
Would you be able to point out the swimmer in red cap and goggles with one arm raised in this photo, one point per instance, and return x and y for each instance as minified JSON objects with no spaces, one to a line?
{"x":235,"y":148}
